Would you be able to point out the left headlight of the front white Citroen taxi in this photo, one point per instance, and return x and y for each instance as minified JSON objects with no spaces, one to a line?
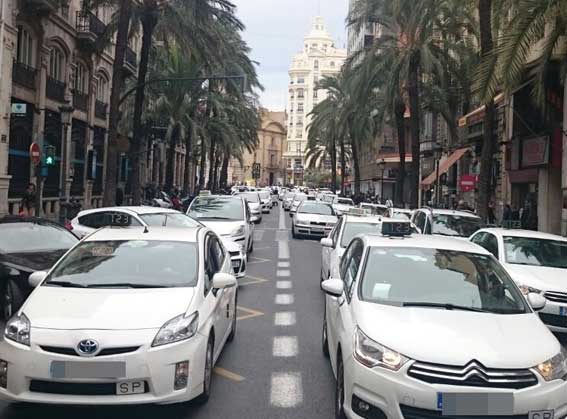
{"x":371,"y":354}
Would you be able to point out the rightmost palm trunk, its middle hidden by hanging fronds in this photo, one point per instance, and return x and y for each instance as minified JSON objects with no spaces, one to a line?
{"x":488,"y":143}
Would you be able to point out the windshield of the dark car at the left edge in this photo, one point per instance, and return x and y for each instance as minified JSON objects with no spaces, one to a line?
{"x":34,"y":237}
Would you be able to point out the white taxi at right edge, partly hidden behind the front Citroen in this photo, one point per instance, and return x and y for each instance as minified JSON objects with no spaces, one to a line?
{"x":537,"y":262}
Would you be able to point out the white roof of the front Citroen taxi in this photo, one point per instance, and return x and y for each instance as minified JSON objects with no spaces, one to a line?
{"x":423,"y":241}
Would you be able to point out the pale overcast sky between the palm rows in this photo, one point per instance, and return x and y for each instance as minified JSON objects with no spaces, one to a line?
{"x":275,"y":31}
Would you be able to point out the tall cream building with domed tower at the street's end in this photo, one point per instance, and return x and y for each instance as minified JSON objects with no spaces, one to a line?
{"x":318,"y":58}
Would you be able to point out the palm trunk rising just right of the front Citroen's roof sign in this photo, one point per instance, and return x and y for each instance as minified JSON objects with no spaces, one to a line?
{"x":413,"y":89}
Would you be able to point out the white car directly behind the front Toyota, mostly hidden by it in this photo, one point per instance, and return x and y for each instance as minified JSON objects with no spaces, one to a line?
{"x":88,"y":221}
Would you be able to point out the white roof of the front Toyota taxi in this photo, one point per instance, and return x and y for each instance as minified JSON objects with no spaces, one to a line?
{"x":186,"y":234}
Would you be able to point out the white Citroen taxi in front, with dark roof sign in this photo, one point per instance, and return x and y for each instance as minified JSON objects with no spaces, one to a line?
{"x":432,"y":327}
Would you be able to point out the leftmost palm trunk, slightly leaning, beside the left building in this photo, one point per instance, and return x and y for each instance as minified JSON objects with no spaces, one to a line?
{"x":109,"y":198}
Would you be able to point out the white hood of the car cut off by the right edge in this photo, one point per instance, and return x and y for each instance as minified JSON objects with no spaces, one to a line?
{"x":540,"y":277}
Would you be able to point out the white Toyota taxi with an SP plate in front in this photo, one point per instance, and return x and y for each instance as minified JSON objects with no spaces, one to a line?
{"x":127,"y":316}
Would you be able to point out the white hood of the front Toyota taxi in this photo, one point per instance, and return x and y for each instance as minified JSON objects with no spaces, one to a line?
{"x":106,"y":309}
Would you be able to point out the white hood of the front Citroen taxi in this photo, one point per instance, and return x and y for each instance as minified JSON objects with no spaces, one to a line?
{"x":457,"y":337}
